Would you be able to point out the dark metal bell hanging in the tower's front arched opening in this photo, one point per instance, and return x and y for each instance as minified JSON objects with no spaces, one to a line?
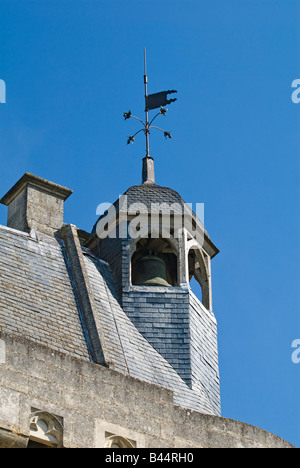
{"x":150,"y":271}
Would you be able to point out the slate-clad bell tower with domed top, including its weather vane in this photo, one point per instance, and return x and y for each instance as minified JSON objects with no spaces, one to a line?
{"x":155,"y":245}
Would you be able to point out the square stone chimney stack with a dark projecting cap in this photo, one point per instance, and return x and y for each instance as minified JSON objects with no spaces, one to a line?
{"x":35,"y":204}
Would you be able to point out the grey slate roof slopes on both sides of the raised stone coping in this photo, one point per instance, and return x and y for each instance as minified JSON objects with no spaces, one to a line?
{"x":38,"y":301}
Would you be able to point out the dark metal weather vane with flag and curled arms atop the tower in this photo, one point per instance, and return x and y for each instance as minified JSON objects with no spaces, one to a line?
{"x":152,"y":101}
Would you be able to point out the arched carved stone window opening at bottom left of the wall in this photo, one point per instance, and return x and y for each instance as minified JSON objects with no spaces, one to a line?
{"x":46,"y":431}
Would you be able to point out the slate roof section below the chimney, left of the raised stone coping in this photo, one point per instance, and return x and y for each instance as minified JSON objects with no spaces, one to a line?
{"x":36,"y":295}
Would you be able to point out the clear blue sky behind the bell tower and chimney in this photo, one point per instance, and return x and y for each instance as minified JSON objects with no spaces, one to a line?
{"x":72,"y":67}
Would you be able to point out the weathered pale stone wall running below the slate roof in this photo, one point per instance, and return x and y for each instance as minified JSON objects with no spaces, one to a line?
{"x":91,"y":401}
